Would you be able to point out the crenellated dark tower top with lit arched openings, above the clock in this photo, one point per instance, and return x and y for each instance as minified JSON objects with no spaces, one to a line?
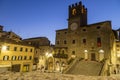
{"x":78,"y":13}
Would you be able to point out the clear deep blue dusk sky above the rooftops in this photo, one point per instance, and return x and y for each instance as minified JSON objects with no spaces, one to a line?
{"x":39,"y":18}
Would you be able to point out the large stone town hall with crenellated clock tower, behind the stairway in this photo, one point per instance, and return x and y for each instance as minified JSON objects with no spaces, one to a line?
{"x":92,"y":42}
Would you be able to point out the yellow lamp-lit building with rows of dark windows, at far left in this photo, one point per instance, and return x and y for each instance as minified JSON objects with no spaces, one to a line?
{"x":16,"y":56}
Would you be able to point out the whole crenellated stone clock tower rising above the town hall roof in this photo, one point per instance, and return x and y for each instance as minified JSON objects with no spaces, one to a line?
{"x":77,"y":16}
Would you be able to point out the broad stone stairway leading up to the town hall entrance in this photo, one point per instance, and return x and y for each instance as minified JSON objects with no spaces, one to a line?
{"x":89,"y":68}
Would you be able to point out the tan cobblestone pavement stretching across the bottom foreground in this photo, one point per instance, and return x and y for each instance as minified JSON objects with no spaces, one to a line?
{"x":37,"y":75}
